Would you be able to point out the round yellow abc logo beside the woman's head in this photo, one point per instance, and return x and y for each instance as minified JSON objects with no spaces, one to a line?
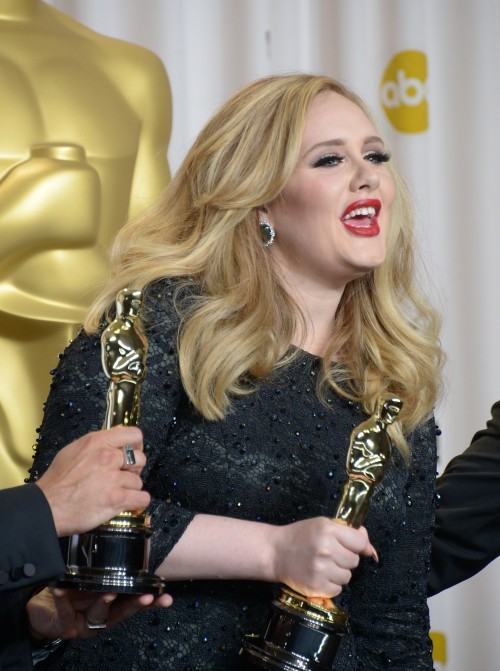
{"x":403,"y":92}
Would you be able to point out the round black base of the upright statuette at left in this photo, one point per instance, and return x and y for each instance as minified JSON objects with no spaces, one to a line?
{"x":113,"y":558}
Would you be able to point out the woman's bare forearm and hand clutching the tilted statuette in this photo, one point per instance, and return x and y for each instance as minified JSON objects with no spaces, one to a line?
{"x":314,"y":557}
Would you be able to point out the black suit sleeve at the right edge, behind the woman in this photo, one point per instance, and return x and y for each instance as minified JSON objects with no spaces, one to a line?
{"x":467,"y":536}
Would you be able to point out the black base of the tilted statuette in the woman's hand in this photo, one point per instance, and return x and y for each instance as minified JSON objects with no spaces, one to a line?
{"x":300,"y":636}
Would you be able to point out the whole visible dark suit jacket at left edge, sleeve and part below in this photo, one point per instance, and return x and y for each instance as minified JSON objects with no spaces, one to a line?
{"x":29,"y":555}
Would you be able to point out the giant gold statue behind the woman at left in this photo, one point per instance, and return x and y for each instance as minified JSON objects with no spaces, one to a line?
{"x":85,"y":125}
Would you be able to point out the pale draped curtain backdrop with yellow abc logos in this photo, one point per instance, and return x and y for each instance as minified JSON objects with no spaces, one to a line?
{"x":430,"y":72}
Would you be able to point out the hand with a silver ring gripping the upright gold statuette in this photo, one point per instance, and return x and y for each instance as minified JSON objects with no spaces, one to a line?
{"x":89,"y":481}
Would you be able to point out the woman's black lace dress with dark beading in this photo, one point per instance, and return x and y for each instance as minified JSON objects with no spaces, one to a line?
{"x":278,"y":457}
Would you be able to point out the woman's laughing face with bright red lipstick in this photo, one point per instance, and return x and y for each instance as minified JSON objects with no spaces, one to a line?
{"x":331,"y":219}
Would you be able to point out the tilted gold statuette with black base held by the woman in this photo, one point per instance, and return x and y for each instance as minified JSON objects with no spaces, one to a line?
{"x":303,"y":634}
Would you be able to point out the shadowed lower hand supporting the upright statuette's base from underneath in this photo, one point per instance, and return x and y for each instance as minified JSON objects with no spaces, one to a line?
{"x":63,"y":613}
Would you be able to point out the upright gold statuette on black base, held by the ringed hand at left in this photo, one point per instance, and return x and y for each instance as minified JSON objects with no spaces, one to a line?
{"x":114,"y":557}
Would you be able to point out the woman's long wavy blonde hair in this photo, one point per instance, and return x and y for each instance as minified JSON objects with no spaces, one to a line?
{"x":239,"y":327}
